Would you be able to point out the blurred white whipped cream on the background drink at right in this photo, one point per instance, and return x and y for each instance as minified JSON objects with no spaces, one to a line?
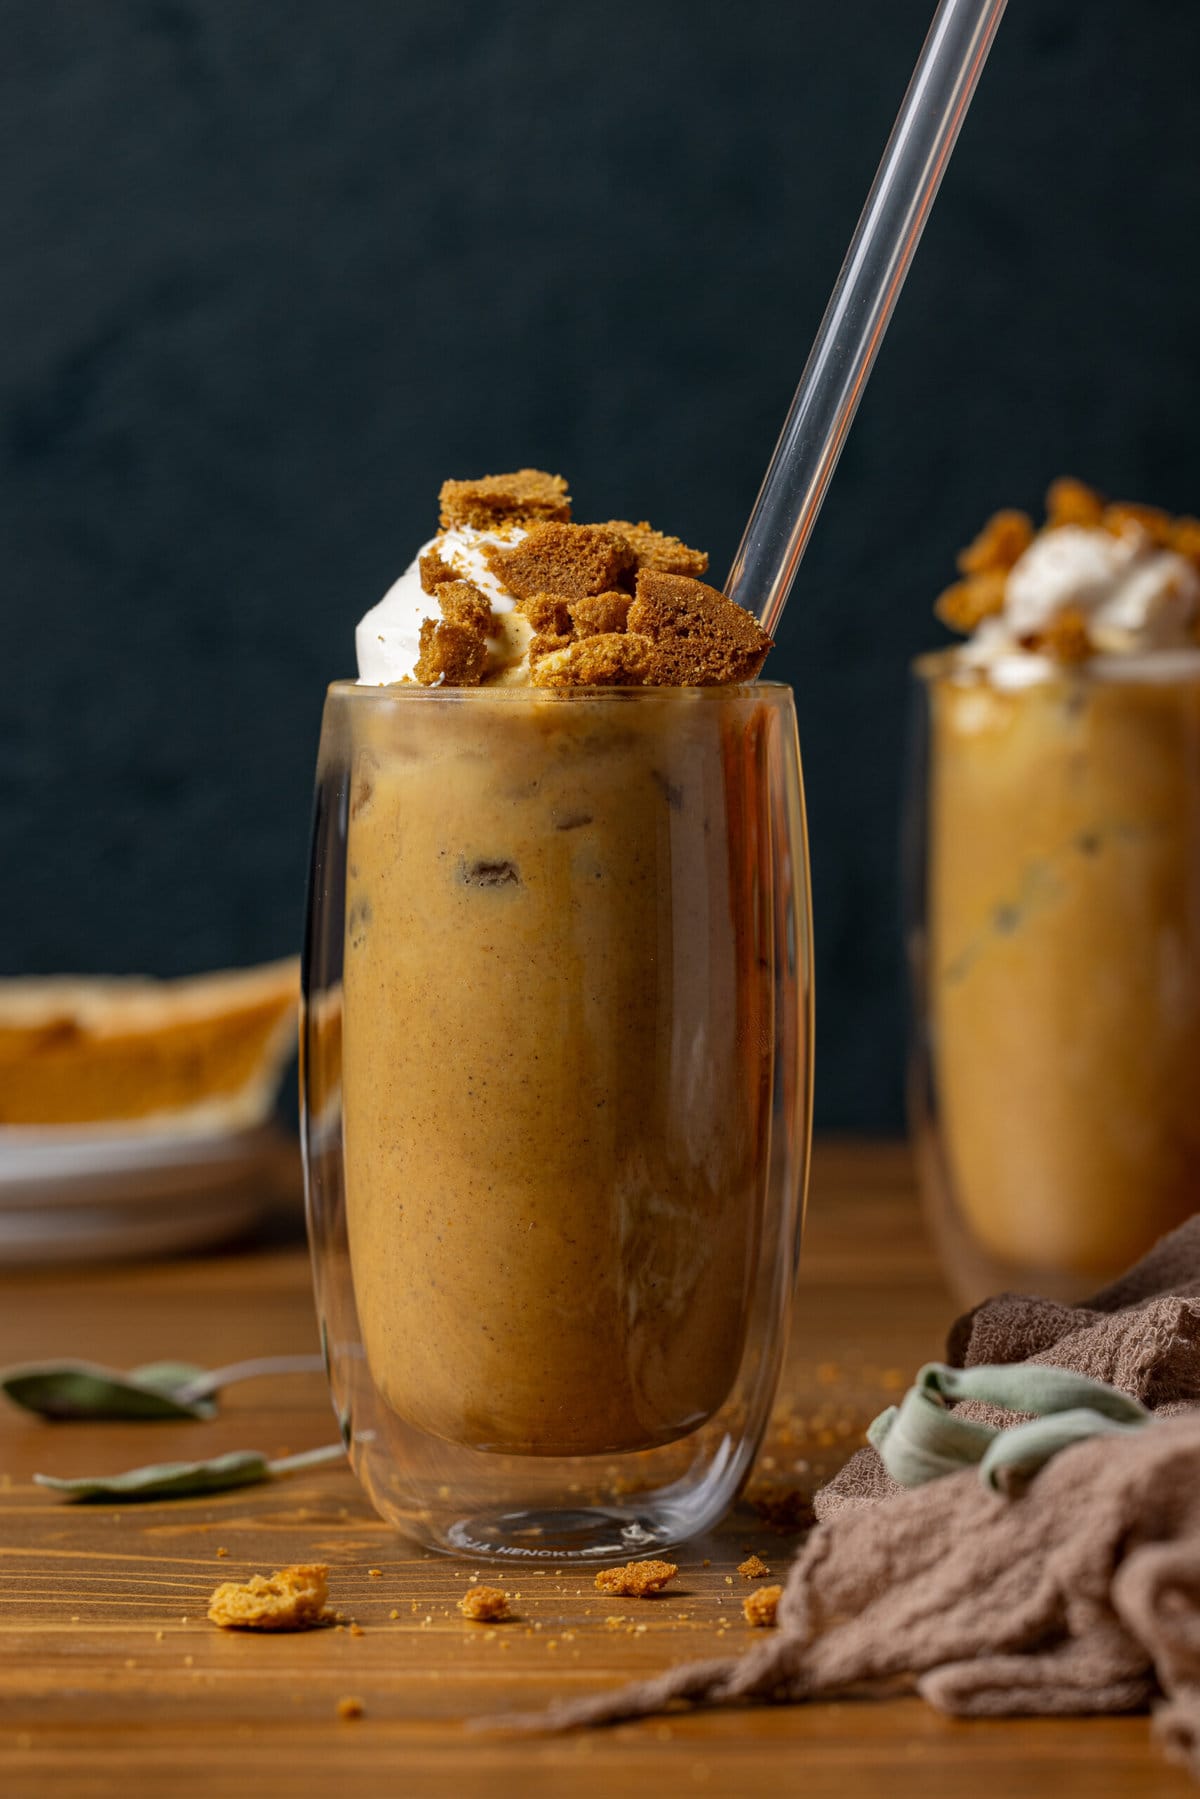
{"x":1134,"y":596}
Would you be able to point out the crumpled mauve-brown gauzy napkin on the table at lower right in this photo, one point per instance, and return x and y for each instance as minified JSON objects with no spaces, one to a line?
{"x":1079,"y":1595}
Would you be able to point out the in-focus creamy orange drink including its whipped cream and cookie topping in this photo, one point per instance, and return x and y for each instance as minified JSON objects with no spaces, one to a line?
{"x":557,"y":998}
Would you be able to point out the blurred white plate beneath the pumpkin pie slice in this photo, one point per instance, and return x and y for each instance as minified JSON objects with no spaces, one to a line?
{"x":76,"y":1195}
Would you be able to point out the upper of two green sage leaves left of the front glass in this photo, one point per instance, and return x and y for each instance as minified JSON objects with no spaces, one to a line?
{"x":159,"y":1390}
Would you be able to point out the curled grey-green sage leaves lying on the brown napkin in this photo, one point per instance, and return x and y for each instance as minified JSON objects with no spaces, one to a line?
{"x":920,"y":1440}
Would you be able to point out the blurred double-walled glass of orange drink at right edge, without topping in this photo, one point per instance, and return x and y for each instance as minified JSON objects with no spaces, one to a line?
{"x":1055,"y":953}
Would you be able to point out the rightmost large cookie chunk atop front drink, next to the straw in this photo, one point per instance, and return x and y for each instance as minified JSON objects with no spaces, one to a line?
{"x":699,"y":636}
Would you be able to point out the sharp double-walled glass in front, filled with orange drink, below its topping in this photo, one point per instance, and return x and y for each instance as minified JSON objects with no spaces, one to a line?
{"x":557,"y":1062}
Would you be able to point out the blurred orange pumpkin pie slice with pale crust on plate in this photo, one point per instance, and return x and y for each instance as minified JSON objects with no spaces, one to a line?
{"x":204,"y":1053}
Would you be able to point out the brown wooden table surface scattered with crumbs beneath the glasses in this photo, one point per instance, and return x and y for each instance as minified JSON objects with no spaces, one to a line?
{"x":114,"y":1683}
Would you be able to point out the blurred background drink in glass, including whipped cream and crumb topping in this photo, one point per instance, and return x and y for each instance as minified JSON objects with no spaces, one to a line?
{"x":1062,"y":899}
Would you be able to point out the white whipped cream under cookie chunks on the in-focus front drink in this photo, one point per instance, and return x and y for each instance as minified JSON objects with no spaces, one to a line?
{"x":388,"y":640}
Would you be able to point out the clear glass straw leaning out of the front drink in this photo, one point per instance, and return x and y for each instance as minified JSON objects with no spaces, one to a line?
{"x":863,"y":303}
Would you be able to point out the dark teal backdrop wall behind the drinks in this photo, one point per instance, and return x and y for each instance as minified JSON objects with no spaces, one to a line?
{"x":273,"y":271}
